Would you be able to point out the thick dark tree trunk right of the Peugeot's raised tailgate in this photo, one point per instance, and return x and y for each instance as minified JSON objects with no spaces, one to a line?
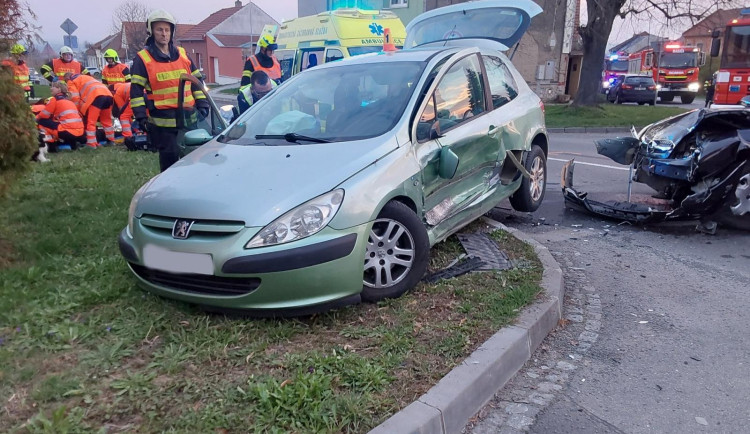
{"x":594,"y":36}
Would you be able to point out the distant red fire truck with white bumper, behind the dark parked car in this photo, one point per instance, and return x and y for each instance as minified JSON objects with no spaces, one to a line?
{"x":675,"y":69}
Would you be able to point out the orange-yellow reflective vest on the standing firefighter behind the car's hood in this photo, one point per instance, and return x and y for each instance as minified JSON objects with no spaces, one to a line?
{"x":164,"y":79}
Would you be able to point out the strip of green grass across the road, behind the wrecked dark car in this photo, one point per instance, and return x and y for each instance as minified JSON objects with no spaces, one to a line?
{"x":607,"y":115}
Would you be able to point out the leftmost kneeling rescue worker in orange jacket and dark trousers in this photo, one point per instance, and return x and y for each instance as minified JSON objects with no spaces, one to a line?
{"x":60,"y":120}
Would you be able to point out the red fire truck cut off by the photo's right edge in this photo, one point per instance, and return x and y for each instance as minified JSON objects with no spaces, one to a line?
{"x":733,"y":76}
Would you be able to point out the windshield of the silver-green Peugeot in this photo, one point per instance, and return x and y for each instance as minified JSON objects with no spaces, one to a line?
{"x":345,"y":102}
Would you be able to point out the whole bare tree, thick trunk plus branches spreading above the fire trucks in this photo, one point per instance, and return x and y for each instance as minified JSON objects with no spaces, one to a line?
{"x":601,"y":16}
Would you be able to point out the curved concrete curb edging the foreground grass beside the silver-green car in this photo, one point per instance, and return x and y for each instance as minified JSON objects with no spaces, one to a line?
{"x":448,"y":406}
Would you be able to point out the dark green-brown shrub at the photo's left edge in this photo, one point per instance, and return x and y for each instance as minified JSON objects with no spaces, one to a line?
{"x":18,"y":136}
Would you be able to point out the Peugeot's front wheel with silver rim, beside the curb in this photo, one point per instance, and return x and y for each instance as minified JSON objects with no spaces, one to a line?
{"x":393,"y":266}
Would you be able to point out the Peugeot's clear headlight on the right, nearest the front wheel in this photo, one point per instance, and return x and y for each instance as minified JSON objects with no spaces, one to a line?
{"x":305,"y":220}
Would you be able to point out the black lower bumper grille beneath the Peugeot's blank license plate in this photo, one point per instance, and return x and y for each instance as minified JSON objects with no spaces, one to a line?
{"x":198,"y":283}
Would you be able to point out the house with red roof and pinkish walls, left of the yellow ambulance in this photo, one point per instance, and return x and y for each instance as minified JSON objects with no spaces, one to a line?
{"x":220,"y":44}
